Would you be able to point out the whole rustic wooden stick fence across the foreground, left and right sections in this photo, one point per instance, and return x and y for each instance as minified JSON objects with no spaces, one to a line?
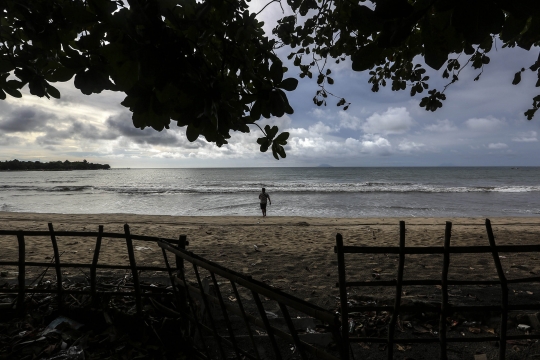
{"x":227,"y":312}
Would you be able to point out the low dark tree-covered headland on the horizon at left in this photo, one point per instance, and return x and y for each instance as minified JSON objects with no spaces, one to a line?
{"x":16,"y":165}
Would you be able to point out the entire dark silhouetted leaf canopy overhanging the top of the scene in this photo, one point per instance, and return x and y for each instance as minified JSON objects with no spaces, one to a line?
{"x":209,"y":66}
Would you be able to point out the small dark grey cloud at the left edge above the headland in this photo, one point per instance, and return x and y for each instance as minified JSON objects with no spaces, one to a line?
{"x":24,"y":120}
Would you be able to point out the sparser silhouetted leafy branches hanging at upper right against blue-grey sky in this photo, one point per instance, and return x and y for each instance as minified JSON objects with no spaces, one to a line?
{"x":387,"y":37}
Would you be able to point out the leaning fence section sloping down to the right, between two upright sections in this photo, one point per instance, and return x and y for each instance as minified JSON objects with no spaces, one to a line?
{"x":213,"y":313}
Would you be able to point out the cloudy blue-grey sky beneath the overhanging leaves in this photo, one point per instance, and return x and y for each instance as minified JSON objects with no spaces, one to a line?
{"x":481,"y":124}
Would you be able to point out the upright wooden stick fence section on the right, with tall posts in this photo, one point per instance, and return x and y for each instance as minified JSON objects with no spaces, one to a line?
{"x":445,"y":308}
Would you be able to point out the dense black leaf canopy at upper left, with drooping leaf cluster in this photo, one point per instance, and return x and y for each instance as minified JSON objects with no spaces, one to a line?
{"x":207,"y":66}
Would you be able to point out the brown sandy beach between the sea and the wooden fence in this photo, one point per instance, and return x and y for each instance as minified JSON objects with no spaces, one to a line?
{"x":294,"y":254}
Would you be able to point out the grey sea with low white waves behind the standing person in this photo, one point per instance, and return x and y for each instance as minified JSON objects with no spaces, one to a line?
{"x":351,"y":192}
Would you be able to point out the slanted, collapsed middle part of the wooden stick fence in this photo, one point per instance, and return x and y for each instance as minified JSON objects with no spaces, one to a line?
{"x":215,"y":306}
